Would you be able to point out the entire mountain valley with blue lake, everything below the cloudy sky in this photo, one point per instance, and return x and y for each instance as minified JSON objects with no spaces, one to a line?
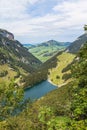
{"x":54,"y":89}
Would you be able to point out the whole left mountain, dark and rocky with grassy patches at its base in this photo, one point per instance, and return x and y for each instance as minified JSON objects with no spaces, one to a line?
{"x":15,"y":60}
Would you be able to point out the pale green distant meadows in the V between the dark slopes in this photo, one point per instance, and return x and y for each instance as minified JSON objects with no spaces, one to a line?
{"x":40,"y":51}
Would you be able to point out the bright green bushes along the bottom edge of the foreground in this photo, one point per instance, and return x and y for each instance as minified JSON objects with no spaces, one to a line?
{"x":35,"y":118}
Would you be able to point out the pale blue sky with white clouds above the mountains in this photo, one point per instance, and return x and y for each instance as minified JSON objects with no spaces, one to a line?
{"x":36,"y":21}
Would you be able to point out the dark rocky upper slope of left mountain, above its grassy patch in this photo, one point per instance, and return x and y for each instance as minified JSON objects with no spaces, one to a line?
{"x":13,"y":52}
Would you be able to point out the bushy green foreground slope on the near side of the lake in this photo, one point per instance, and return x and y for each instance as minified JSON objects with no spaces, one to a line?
{"x":62,"y":109}
